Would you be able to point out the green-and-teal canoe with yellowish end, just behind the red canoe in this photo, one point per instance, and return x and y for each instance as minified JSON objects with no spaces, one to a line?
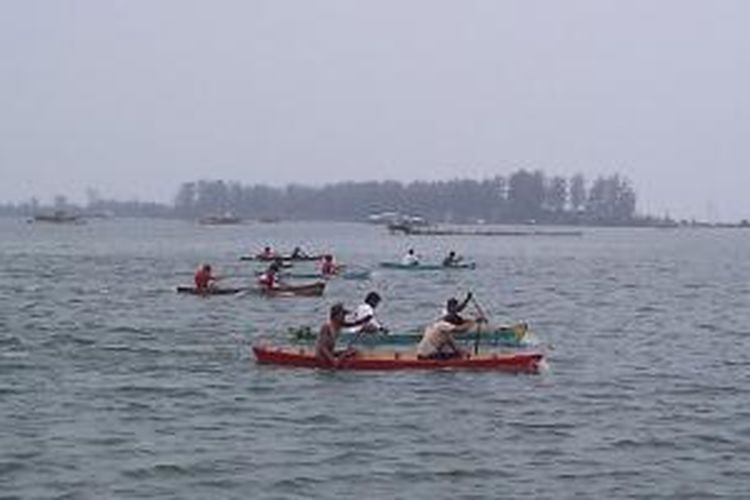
{"x":517,"y":335}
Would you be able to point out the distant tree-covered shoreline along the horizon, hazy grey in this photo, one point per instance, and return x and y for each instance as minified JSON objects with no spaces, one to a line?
{"x":524,"y":197}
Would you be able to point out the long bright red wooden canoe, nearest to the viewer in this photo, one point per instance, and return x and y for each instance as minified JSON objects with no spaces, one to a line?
{"x":520,"y":362}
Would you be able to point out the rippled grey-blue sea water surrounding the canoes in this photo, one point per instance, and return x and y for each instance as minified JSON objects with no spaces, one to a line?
{"x":112,"y":386}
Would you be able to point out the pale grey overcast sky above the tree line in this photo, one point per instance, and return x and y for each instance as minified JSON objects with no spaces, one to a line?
{"x":135,"y":97}
